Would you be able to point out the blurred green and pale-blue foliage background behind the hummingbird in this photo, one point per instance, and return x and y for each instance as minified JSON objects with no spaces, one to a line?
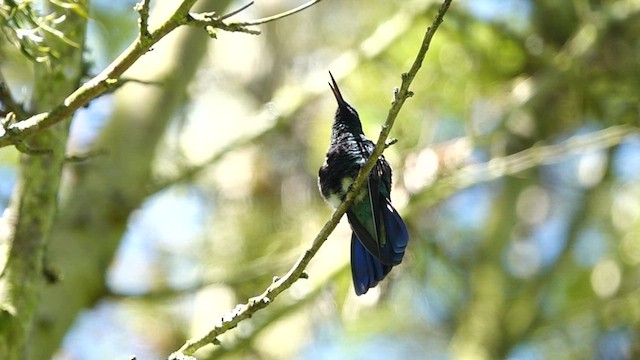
{"x":538,"y":263}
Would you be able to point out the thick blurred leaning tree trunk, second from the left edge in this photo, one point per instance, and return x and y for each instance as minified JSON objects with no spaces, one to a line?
{"x":108,"y":188}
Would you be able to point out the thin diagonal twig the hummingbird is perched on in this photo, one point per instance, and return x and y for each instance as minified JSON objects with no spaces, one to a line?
{"x":245,"y":311}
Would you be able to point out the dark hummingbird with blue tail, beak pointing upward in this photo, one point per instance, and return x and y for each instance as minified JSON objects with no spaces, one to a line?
{"x":379,"y":236}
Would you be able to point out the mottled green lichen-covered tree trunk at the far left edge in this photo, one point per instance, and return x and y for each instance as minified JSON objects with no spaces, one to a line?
{"x":28,"y":220}
